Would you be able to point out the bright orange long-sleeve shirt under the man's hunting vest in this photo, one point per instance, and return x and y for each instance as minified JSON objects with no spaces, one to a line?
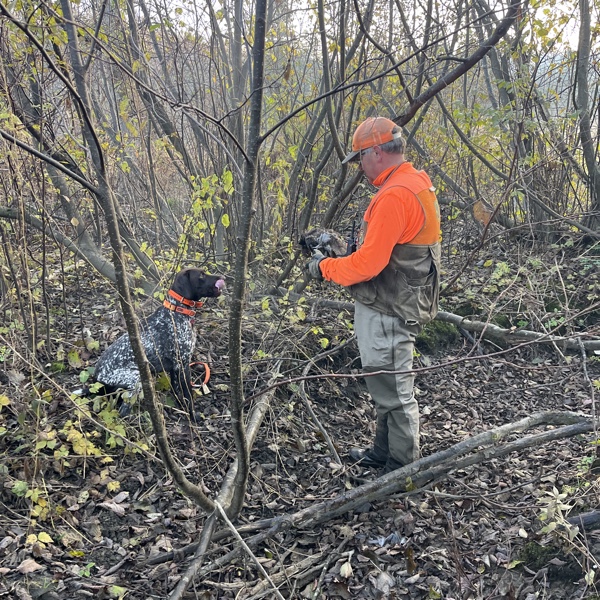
{"x":394,"y":216}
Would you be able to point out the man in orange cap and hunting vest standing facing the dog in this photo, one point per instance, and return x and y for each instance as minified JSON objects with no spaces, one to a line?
{"x":394,"y":278}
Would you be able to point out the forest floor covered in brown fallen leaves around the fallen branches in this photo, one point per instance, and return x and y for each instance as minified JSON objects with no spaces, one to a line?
{"x":82,"y":515}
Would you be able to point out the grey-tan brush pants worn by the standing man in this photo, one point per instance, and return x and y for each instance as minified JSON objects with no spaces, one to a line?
{"x":387,"y":343}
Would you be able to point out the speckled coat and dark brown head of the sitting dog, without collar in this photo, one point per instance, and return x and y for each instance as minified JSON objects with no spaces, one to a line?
{"x":168,"y":338}
